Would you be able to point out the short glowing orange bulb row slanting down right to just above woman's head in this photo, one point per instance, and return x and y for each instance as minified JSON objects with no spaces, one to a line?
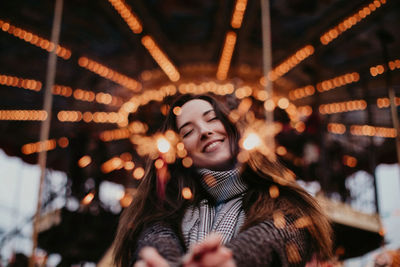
{"x":161,"y":58}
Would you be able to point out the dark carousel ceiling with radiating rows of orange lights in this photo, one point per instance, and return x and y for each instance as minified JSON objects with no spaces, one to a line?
{"x":117,"y":60}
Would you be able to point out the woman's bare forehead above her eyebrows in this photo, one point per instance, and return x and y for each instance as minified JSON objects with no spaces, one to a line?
{"x":192,"y":110}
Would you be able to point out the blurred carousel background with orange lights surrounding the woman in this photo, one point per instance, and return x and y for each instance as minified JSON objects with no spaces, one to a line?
{"x":328,"y":71}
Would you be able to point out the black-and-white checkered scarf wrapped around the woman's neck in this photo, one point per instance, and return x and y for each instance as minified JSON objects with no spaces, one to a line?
{"x":226,"y":217}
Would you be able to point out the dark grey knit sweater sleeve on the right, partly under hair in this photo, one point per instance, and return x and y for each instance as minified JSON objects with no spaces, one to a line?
{"x":266,"y":245}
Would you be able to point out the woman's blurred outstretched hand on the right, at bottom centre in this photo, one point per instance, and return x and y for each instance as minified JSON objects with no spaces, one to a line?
{"x":209,"y":253}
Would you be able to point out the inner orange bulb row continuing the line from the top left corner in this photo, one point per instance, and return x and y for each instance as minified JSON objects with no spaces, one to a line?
{"x":109,"y":74}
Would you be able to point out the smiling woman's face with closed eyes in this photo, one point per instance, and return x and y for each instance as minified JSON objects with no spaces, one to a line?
{"x":204,"y":135}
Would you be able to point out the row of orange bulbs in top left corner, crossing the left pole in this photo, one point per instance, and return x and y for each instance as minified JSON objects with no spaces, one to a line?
{"x":34,"y":39}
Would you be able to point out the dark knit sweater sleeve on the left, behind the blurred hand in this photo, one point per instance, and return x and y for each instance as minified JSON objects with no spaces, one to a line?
{"x":164,"y":239}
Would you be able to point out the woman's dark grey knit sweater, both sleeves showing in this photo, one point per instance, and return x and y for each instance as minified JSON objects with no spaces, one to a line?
{"x":260,"y":245}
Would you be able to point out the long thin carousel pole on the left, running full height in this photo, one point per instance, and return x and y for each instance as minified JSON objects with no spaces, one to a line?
{"x":45,"y":128}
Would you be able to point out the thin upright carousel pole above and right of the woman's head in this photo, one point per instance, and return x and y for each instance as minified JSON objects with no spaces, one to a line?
{"x":267,"y":60}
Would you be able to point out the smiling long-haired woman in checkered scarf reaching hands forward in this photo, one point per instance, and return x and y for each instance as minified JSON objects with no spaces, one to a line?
{"x":261,"y":218}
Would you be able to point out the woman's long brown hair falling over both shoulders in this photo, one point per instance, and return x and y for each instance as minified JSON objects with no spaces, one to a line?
{"x":259,"y":172}
